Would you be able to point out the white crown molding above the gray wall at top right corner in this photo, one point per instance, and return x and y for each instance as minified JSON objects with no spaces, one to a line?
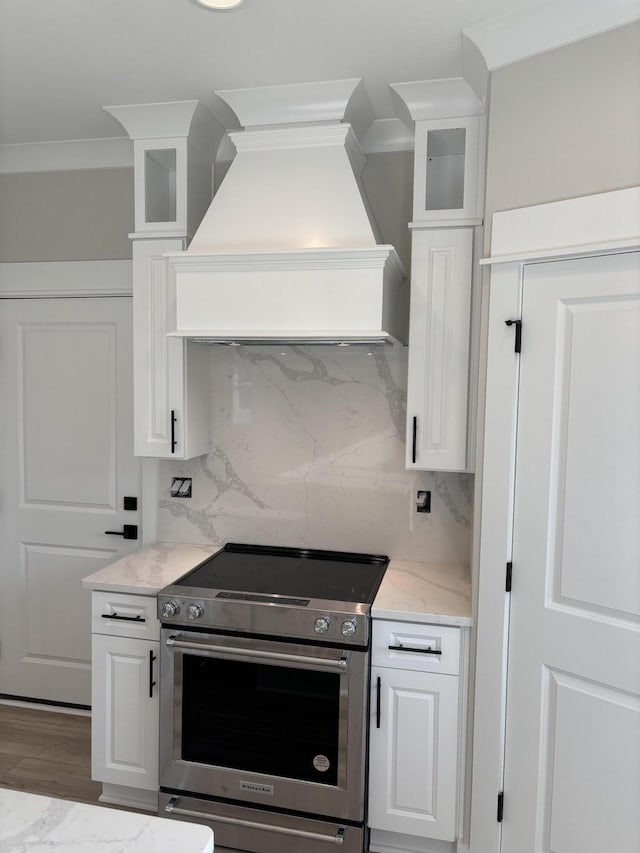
{"x":546,"y":26}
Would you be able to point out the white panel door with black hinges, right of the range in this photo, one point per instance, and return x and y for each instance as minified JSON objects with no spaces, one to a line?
{"x":572,"y":761}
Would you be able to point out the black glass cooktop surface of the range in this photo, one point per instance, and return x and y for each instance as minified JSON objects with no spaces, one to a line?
{"x":264,"y":570}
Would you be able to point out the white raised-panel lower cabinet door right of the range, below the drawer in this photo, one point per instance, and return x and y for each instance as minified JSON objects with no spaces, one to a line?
{"x":413,"y":760}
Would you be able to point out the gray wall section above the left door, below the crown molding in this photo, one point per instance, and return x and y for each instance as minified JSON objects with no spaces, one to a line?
{"x":61,"y":216}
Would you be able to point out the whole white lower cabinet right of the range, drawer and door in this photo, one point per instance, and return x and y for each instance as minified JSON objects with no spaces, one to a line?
{"x":414,"y":736}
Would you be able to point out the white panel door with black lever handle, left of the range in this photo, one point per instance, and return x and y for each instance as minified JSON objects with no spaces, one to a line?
{"x":66,"y":463}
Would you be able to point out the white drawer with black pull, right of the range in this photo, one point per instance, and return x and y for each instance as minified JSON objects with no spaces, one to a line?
{"x":421,"y":648}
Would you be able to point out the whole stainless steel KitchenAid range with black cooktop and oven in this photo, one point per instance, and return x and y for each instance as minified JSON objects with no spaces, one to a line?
{"x":264,"y":696}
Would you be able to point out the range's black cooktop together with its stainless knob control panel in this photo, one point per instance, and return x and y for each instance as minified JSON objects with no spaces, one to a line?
{"x":286,"y":592}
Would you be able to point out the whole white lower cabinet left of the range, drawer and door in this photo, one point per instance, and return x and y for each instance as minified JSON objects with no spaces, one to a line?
{"x":124,"y":720}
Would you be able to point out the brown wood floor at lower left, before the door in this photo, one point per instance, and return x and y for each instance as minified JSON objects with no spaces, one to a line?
{"x":44,"y":752}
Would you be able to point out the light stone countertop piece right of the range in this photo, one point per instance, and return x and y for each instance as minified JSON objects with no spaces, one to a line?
{"x":435,"y":593}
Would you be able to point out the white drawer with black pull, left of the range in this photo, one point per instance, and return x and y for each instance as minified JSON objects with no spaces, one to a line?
{"x":120,"y":614}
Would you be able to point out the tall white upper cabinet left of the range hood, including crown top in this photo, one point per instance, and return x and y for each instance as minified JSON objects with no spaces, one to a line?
{"x":175,"y":145}
